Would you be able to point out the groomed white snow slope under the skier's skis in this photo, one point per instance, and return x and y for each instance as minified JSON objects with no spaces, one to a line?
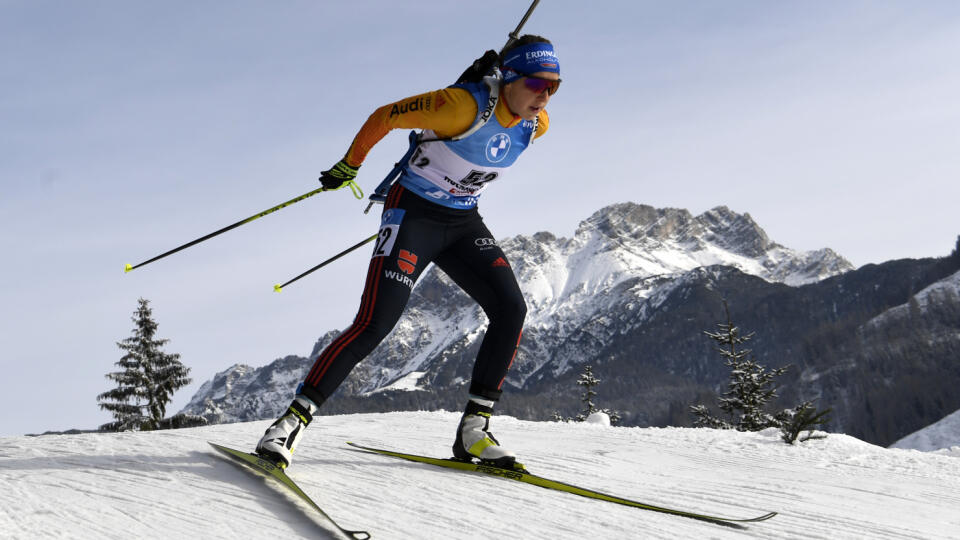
{"x":171,"y":484}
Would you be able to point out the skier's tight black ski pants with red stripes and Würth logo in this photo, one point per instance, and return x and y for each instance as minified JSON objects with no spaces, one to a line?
{"x":413,"y":233}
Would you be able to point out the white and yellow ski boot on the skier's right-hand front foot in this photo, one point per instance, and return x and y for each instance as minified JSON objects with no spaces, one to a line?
{"x":474,"y":441}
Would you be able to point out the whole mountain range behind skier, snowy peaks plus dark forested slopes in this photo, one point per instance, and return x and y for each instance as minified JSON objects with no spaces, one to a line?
{"x":630,"y":294}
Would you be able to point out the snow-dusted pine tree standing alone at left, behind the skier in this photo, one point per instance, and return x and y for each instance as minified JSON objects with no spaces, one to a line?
{"x":147,"y":380}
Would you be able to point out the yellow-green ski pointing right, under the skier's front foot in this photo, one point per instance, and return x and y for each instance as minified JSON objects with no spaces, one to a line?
{"x":529,"y":478}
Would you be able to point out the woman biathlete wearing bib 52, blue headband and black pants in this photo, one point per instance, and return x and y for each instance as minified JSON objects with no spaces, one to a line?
{"x":471,"y":134}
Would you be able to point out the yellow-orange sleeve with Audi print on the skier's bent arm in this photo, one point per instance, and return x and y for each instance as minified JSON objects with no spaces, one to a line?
{"x":447,"y":112}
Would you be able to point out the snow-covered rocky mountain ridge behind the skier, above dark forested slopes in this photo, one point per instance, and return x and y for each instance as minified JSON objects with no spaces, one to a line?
{"x":619,"y":266}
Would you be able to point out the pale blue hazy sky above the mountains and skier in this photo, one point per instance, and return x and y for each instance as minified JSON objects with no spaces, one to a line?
{"x":129,"y":128}
